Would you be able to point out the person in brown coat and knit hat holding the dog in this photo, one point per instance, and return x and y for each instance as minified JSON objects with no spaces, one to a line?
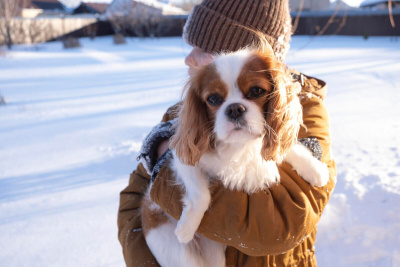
{"x":275,"y":227}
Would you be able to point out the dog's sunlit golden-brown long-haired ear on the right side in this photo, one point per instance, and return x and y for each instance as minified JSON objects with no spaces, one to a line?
{"x":283,"y":113}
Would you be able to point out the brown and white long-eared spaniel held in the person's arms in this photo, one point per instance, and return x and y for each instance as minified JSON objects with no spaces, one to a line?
{"x":239,"y":119}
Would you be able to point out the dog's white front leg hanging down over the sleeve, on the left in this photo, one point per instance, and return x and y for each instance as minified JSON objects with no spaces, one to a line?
{"x":196,"y":200}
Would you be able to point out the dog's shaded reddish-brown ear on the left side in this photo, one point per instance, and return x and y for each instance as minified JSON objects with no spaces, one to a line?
{"x":193,"y":133}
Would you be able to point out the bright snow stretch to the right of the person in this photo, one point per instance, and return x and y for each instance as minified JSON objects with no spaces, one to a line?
{"x":361,"y":225}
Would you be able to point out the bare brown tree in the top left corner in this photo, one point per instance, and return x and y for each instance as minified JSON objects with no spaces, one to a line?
{"x":9,"y":9}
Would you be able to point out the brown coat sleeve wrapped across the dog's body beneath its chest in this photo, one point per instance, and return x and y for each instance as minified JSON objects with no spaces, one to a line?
{"x":268,"y":222}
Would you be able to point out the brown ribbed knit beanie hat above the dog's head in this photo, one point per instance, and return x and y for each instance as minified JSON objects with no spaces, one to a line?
{"x":229,"y":25}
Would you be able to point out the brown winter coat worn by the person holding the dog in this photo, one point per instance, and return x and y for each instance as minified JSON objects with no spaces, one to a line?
{"x":274,"y":227}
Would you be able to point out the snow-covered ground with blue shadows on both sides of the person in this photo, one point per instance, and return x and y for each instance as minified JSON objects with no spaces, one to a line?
{"x":74,"y":120}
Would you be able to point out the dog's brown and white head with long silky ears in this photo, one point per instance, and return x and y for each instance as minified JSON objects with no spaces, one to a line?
{"x":239,"y":97}
